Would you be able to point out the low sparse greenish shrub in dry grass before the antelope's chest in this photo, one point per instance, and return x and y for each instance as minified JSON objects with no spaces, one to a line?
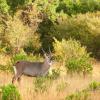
{"x":43,"y":83}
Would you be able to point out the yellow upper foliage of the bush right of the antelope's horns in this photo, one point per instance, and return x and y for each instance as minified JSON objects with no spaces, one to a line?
{"x":69,"y":49}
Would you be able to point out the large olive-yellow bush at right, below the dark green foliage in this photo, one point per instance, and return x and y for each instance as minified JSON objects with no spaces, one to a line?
{"x":82,"y":27}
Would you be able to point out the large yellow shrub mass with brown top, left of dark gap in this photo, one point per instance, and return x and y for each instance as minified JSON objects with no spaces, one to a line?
{"x":19,"y":31}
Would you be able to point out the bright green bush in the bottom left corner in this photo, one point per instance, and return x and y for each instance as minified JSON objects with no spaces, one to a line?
{"x":10,"y":92}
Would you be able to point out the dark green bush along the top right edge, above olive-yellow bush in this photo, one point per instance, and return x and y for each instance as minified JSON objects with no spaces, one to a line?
{"x":71,"y":7}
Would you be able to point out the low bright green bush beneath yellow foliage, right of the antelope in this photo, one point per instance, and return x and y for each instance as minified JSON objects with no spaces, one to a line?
{"x":79,"y":65}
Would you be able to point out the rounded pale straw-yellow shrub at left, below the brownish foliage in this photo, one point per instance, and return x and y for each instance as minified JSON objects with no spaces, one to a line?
{"x":16,"y":32}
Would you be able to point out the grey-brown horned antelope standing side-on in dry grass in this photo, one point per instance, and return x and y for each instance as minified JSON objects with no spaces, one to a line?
{"x":32,"y":68}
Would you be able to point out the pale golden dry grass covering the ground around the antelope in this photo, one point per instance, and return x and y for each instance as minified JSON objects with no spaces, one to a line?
{"x":55,"y":92}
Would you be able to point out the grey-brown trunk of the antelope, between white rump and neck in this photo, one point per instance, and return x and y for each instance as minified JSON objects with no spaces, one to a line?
{"x":30,"y":68}
